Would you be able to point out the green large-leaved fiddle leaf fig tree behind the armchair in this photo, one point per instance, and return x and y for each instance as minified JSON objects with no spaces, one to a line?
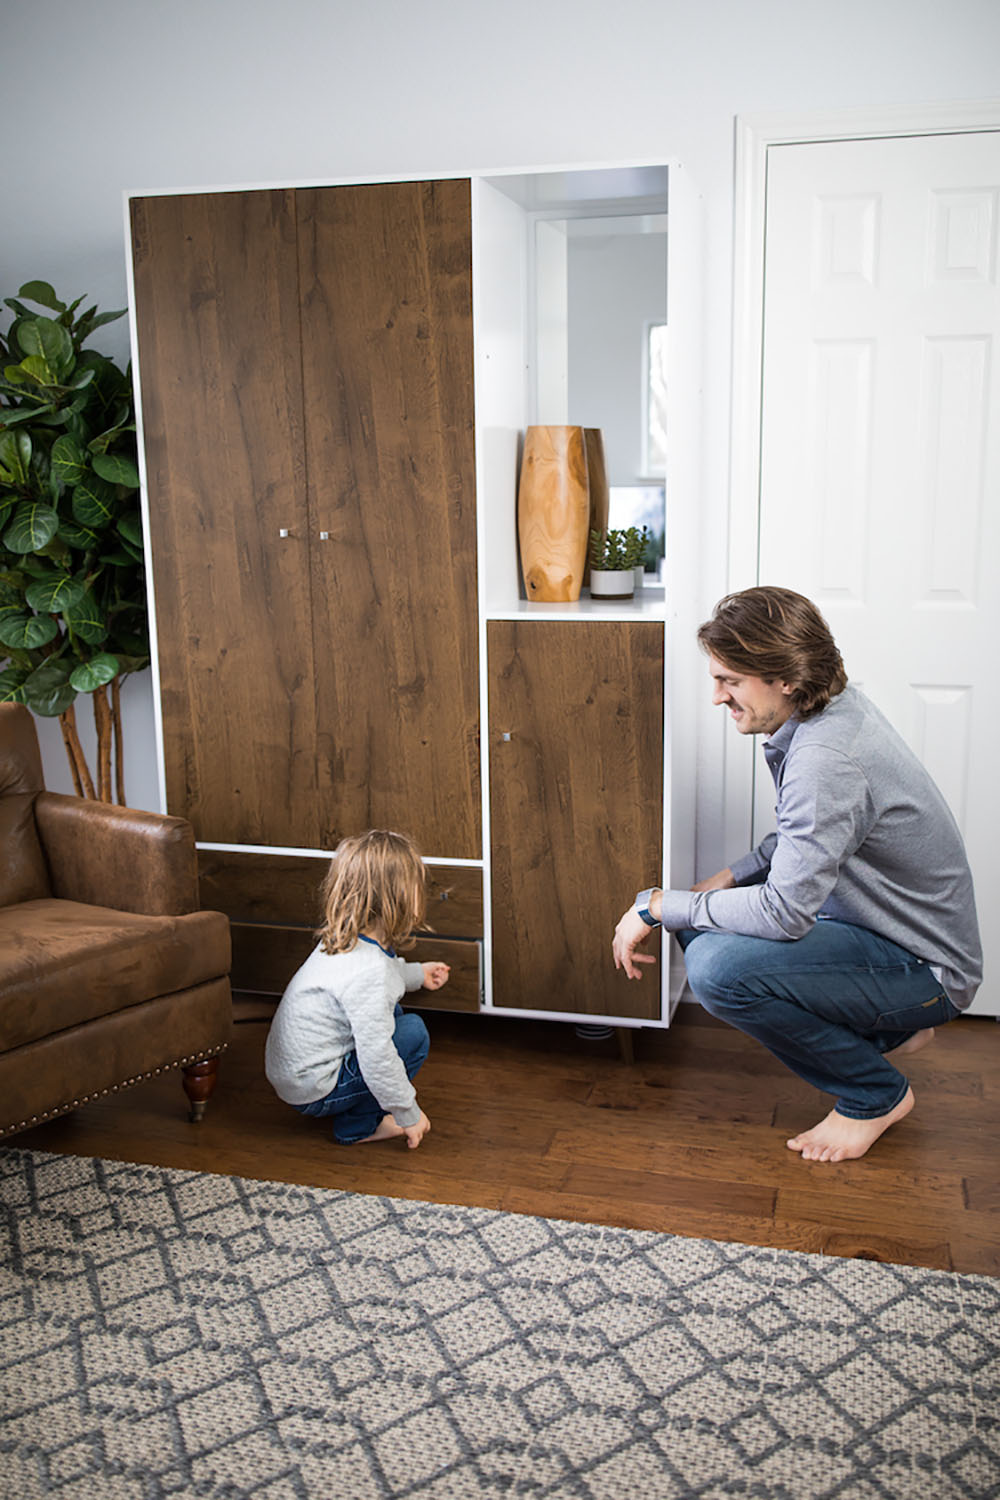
{"x":73,"y":584}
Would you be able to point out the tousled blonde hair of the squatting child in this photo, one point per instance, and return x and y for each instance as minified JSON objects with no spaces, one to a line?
{"x":377,"y":883}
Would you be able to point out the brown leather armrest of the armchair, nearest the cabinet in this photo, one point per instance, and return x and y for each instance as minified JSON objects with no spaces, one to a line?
{"x":118,"y":857}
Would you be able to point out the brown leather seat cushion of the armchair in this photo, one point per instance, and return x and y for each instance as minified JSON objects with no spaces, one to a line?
{"x":64,"y":964}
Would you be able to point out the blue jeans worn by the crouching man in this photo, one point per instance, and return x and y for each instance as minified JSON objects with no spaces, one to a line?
{"x":828,"y":1006}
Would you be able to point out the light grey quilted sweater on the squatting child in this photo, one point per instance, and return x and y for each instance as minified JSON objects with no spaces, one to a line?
{"x":334,"y":1006}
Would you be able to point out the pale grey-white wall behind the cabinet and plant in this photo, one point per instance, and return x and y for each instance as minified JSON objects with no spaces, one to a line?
{"x":110,"y":95}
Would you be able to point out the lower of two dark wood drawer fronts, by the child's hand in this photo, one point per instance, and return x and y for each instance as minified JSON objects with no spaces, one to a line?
{"x":265,"y":959}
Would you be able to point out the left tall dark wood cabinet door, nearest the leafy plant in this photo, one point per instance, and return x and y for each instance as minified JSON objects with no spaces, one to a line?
{"x":218,"y":313}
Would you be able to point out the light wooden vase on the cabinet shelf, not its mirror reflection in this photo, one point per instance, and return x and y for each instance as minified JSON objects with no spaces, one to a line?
{"x":554,"y":514}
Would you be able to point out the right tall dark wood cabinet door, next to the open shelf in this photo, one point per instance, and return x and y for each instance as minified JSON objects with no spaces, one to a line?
{"x":386,"y":277}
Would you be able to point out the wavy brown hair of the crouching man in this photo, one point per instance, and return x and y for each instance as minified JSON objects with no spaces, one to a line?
{"x":777,"y":635}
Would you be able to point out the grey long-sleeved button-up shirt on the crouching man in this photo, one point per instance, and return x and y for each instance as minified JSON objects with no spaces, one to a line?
{"x":864,"y":836}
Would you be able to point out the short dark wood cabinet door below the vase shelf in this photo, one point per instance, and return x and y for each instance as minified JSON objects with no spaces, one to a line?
{"x":576,"y":809}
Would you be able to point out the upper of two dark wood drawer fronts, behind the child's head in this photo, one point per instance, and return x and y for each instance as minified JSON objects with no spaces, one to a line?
{"x":286,"y":889}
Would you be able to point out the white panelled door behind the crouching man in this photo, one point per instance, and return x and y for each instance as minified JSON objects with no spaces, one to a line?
{"x":881,"y":445}
